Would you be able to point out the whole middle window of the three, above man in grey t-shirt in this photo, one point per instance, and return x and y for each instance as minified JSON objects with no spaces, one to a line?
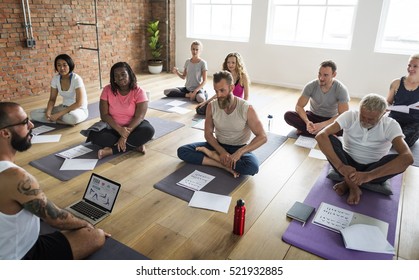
{"x":313,"y":23}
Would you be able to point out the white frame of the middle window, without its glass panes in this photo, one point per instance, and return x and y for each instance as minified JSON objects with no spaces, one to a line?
{"x":320,"y":43}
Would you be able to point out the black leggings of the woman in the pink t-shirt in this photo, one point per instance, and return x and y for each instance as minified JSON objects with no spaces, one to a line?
{"x":109,"y":137}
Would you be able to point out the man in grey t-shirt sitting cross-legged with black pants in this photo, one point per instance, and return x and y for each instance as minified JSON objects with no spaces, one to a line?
{"x":328,"y":99}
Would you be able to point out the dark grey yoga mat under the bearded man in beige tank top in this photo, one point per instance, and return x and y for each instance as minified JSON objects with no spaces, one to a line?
{"x":224,"y":182}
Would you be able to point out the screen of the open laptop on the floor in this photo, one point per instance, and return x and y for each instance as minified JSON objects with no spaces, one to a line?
{"x":101,"y":192}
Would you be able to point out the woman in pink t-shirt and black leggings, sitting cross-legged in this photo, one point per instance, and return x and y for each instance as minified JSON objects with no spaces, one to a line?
{"x":123,"y":105}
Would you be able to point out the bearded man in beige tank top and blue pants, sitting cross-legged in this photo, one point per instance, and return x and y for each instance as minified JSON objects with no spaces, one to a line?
{"x":233,"y":120}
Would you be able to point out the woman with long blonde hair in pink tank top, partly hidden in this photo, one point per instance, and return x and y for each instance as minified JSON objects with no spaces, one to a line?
{"x":235,"y":65}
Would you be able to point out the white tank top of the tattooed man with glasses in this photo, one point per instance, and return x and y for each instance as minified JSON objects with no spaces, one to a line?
{"x":19,"y":232}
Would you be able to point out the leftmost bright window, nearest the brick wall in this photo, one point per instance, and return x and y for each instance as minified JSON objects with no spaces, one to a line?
{"x":219,"y":19}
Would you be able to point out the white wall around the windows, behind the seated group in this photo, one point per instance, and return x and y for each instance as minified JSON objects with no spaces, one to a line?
{"x":361,"y":69}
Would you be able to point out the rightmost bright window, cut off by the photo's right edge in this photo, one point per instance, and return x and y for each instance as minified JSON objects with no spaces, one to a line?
{"x":399,"y":27}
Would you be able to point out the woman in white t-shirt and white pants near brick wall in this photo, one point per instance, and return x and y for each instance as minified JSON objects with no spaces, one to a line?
{"x":70,"y":86}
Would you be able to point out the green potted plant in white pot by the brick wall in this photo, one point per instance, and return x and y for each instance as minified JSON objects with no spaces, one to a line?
{"x":155,"y":65}
